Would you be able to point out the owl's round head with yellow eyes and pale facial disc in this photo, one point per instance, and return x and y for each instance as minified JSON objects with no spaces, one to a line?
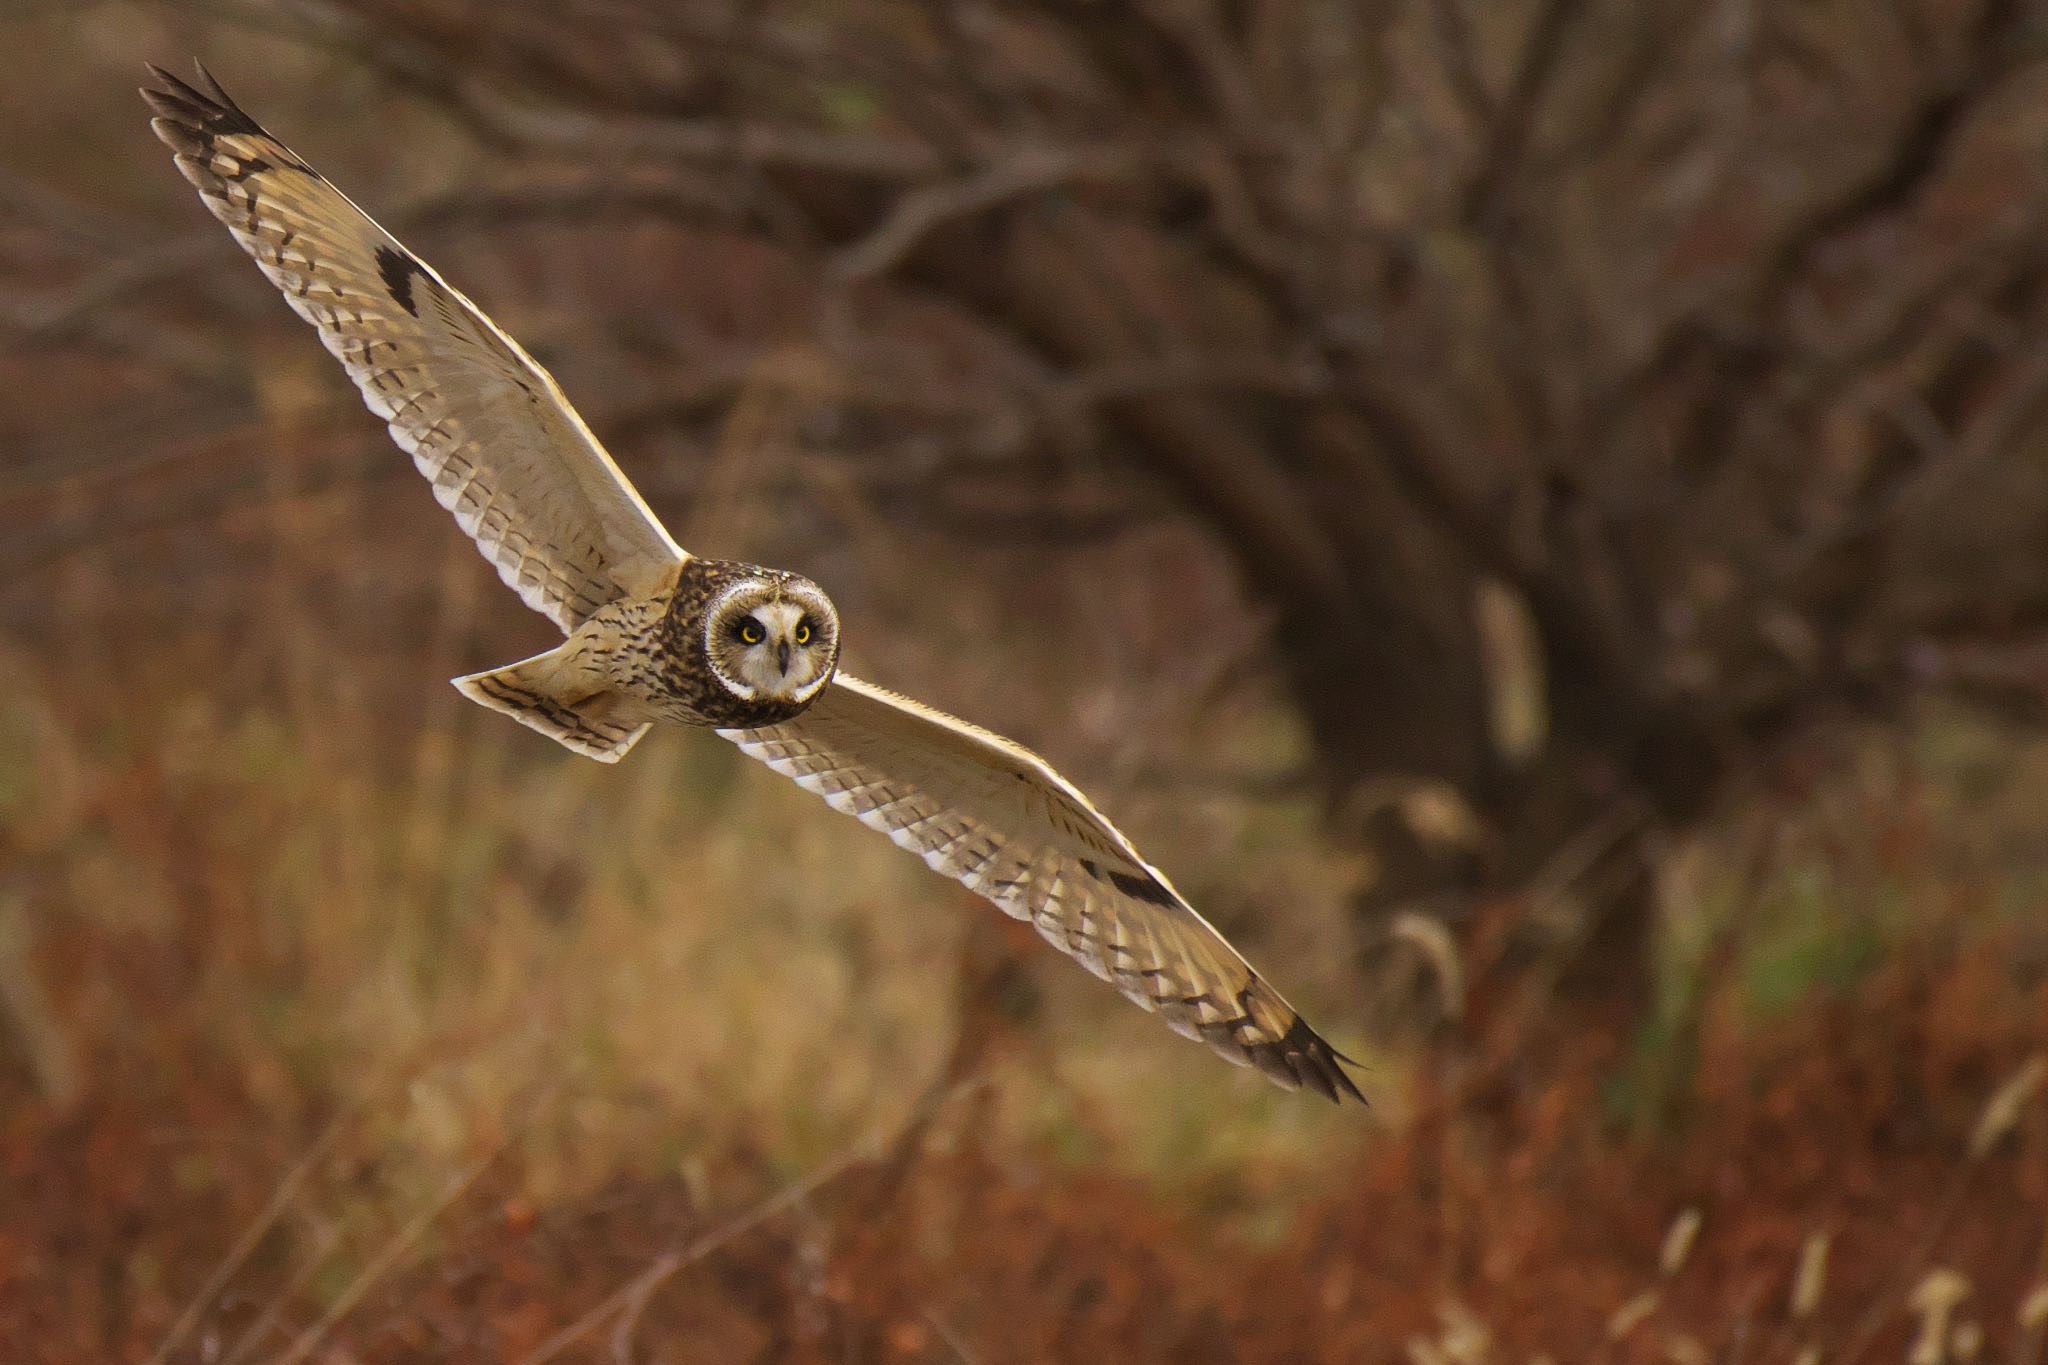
{"x":773,"y":637}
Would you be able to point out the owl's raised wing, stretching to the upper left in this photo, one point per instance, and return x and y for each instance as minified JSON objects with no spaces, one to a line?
{"x":480,"y":419}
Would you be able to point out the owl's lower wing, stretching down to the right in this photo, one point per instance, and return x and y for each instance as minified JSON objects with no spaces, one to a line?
{"x":996,"y":818}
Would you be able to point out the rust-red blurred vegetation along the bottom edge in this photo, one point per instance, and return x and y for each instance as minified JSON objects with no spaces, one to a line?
{"x":1504,"y":1198}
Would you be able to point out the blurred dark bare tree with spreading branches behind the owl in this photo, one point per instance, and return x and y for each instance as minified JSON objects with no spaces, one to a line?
{"x":1660,"y":382}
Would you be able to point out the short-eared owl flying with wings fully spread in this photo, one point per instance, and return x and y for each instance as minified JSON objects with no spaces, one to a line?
{"x":656,"y":633}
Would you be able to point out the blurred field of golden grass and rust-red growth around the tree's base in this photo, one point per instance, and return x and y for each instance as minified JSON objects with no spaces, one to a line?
{"x":349,"y":1022}
